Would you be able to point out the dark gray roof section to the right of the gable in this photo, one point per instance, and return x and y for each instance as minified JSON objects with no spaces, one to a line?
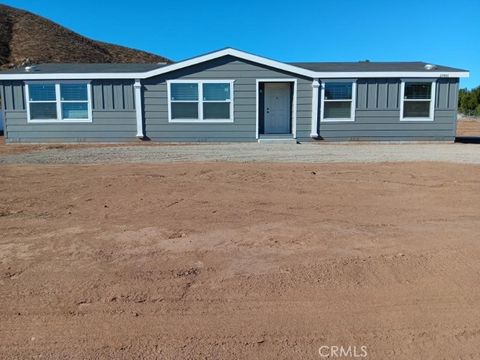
{"x":370,"y":66}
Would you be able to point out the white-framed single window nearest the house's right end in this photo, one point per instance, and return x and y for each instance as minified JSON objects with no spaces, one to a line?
{"x":417,"y":100}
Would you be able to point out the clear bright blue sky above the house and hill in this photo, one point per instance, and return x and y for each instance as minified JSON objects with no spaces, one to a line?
{"x":444,"y":32}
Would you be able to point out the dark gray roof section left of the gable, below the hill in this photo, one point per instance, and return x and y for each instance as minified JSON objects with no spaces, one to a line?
{"x":86,"y":68}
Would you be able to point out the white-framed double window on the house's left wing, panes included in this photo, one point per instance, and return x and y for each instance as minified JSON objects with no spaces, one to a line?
{"x":53,"y":102}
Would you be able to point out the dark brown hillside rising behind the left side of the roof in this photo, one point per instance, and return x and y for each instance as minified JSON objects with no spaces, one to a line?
{"x":29,"y":38}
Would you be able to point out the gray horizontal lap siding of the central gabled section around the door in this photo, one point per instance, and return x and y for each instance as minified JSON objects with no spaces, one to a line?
{"x":245,"y":75}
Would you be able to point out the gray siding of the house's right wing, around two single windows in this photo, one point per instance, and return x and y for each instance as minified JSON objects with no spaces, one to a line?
{"x":377,"y":114}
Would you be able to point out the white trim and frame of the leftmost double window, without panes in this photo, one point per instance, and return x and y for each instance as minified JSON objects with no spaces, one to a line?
{"x":59,"y":102}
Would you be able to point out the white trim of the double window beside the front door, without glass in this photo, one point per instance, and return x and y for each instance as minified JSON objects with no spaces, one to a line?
{"x":200,"y":101}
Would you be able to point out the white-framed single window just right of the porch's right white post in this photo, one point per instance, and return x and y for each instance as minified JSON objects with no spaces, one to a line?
{"x":338,"y":100}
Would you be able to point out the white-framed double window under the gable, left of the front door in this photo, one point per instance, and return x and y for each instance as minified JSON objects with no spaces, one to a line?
{"x":202,"y":101}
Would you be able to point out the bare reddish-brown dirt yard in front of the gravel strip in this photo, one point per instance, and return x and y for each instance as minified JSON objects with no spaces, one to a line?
{"x":239,"y":261}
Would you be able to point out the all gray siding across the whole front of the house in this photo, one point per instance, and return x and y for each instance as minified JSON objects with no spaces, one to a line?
{"x":377,"y":113}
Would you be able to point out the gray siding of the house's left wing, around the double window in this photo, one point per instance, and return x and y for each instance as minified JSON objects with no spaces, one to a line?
{"x":113,"y":116}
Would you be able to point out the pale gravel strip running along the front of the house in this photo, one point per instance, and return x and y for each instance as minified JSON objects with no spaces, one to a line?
{"x":308,"y":153}
